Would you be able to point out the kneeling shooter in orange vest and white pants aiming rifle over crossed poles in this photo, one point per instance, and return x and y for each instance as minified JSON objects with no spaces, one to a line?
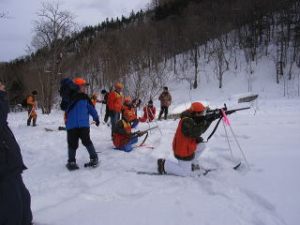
{"x":187,"y":143}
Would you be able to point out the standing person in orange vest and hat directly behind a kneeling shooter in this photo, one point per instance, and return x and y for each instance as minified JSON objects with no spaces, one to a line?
{"x":115,"y":103}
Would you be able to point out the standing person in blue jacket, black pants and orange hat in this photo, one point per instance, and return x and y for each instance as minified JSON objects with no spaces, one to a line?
{"x":78,"y":126}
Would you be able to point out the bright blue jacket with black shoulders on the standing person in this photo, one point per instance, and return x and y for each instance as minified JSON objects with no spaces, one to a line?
{"x":79,"y":111}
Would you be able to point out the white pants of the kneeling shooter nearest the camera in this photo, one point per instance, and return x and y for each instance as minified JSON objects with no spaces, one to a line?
{"x":184,"y":168}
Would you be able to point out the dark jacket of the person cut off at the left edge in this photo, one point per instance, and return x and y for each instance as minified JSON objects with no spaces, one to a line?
{"x":11,"y":162}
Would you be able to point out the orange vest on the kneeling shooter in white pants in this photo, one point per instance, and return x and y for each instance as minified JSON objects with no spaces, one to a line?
{"x":183,"y":146}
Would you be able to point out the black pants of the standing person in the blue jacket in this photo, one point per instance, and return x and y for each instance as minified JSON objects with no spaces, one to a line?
{"x":73,"y":137}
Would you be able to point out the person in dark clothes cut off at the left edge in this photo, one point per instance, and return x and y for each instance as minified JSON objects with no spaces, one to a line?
{"x":15,"y":199}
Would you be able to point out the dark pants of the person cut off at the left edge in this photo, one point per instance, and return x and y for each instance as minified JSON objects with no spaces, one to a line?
{"x":15,"y":202}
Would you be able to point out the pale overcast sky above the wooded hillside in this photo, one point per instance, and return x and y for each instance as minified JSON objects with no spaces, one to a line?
{"x":16,"y":30}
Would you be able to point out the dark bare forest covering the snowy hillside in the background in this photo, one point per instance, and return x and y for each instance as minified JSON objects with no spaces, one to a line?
{"x":141,"y":50}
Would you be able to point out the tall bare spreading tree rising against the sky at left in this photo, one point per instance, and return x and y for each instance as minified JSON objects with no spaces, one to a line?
{"x":51,"y":29}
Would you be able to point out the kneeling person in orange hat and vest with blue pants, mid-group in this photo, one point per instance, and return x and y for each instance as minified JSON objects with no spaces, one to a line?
{"x":123,"y":138}
